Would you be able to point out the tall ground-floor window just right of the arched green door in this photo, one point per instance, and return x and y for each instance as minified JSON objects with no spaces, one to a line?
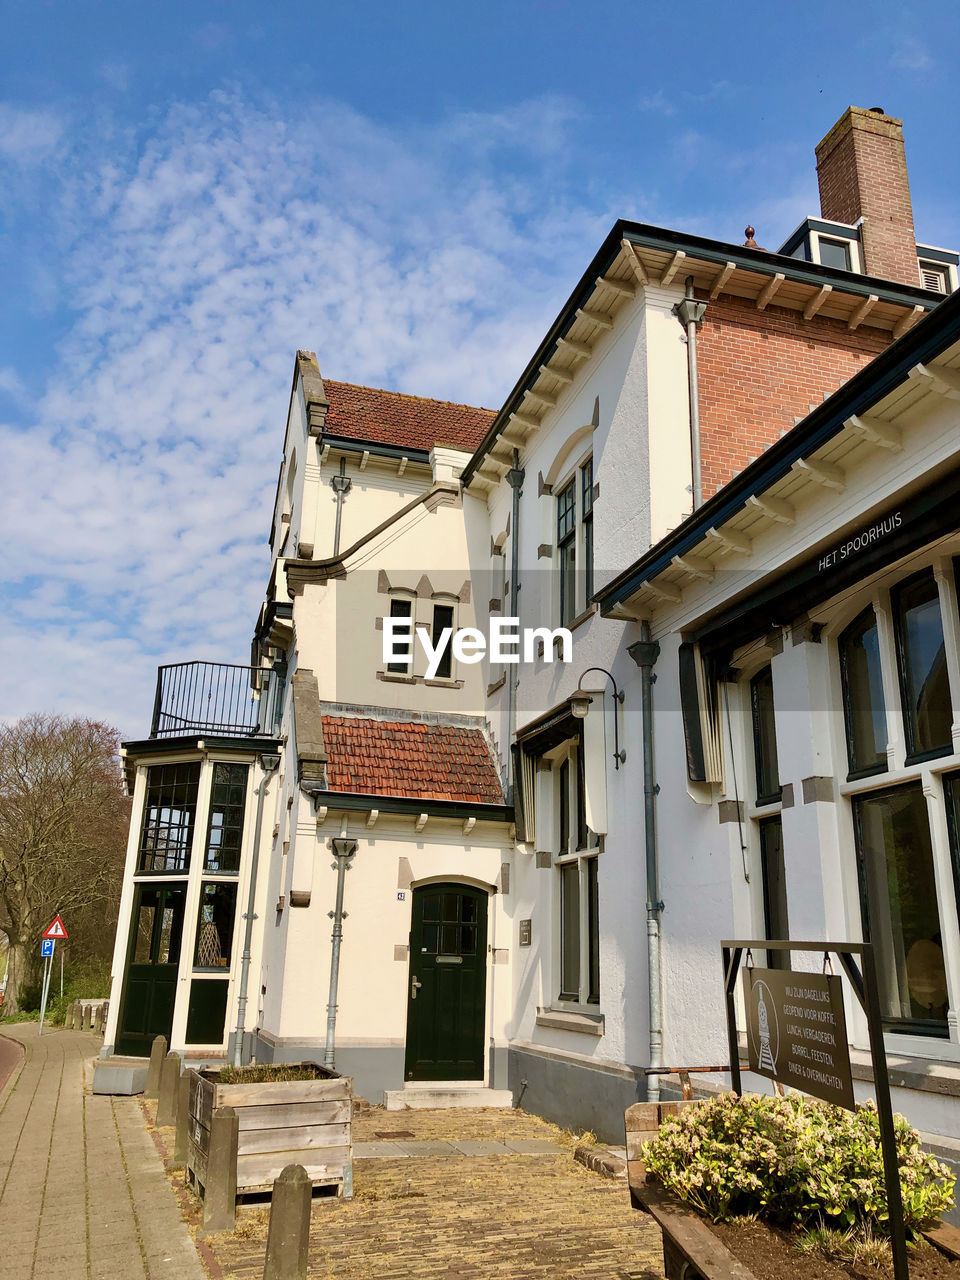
{"x":578,"y":886}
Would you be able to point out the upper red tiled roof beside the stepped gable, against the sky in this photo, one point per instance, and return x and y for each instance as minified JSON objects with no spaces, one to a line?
{"x":408,"y":422}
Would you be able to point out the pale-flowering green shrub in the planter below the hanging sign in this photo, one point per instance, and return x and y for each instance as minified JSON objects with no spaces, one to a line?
{"x":794,"y":1162}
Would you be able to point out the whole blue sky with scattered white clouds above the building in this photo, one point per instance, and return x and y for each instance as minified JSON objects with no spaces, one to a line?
{"x":191,"y":193}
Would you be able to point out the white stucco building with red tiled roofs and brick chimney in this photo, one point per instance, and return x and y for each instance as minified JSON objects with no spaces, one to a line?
{"x":525,"y":913}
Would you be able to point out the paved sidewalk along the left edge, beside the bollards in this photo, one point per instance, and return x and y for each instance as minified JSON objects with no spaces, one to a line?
{"x":84,"y":1195}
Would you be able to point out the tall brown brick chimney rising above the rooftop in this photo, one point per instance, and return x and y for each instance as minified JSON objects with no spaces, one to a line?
{"x":862,"y":172}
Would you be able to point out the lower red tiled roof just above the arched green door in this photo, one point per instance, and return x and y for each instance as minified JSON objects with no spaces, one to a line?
{"x":408,"y":758}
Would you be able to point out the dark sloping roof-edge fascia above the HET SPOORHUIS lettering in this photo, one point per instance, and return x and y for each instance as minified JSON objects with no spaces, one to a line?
{"x":920,"y":346}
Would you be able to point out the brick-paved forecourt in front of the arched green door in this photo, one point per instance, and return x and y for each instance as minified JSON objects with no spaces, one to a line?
{"x":504,"y":1217}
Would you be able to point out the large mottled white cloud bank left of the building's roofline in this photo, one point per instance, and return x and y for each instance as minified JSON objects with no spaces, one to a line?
{"x":140,"y":479}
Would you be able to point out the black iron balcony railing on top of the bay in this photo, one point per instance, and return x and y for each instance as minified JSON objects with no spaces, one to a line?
{"x":216,"y":698}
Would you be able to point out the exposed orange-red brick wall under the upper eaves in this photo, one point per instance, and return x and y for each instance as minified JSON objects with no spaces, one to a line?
{"x":760,"y":371}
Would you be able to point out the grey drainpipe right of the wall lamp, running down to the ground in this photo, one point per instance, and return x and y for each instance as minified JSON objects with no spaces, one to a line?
{"x":646,"y":653}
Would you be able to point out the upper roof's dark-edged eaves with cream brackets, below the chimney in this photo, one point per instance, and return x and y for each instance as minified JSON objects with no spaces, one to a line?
{"x":679,"y":254}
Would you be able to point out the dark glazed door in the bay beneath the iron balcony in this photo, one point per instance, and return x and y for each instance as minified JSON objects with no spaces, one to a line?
{"x":154,"y":958}
